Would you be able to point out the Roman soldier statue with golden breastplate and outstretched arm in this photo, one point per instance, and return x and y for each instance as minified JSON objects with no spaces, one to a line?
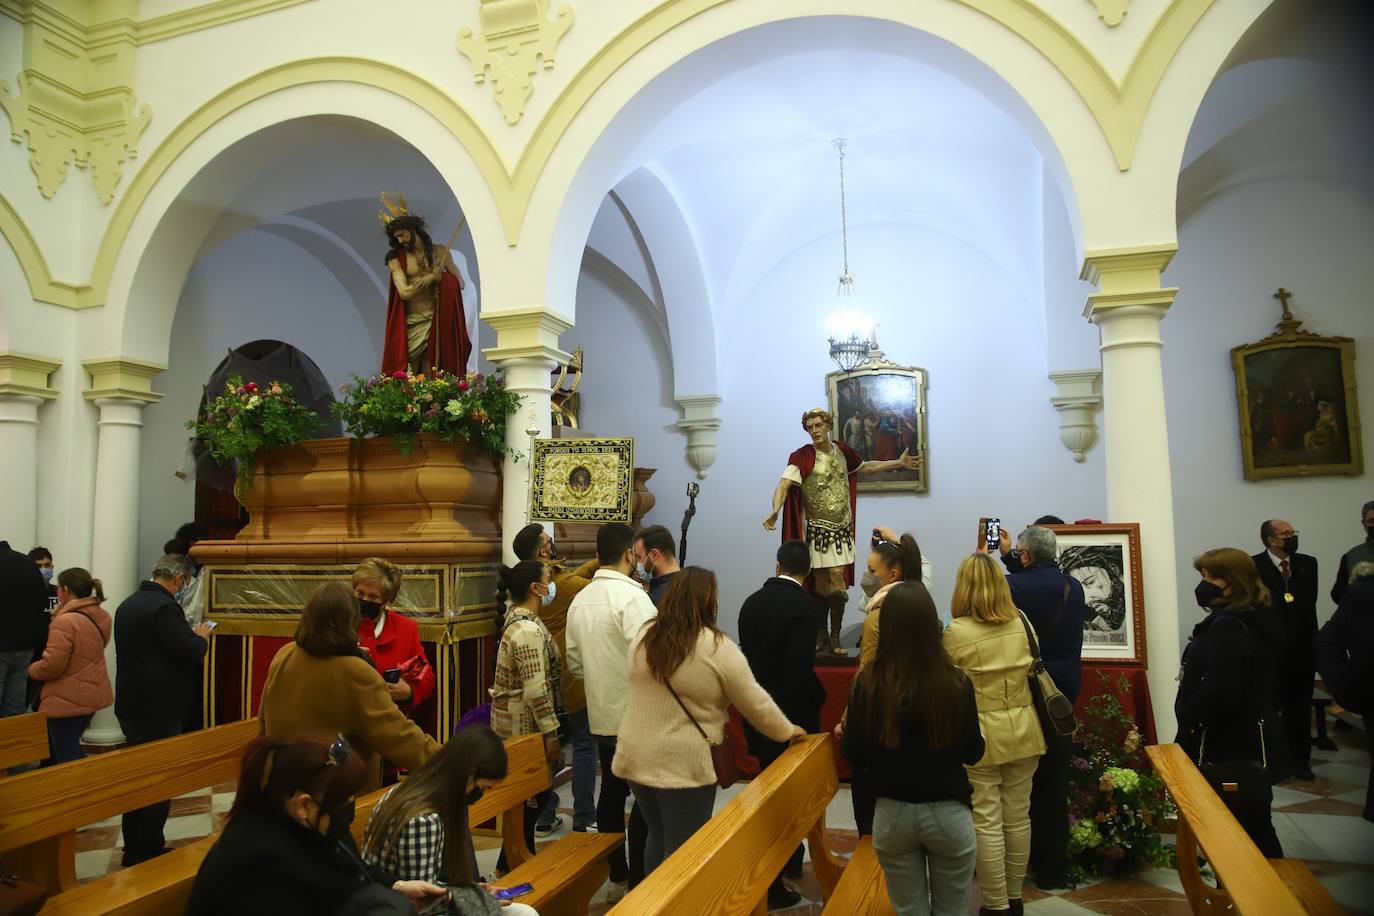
{"x":817,"y":496}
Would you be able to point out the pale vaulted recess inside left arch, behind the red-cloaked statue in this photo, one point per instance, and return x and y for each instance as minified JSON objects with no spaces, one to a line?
{"x":277,"y":238}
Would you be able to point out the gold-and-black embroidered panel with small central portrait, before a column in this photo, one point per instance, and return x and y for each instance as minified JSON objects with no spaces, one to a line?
{"x":589,"y":480}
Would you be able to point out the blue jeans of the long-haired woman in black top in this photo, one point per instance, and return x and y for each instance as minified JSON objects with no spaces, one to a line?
{"x":936,"y":837}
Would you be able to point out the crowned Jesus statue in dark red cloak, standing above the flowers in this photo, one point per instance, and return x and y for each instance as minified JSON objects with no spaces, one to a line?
{"x":425,"y":323}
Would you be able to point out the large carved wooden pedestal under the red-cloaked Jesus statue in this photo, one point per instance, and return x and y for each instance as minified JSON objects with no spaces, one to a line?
{"x":319,"y":507}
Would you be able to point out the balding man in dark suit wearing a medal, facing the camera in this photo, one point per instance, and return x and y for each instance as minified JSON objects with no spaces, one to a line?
{"x":1292,"y":582}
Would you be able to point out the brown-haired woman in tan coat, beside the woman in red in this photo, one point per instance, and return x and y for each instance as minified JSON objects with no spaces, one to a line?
{"x":322,"y":683}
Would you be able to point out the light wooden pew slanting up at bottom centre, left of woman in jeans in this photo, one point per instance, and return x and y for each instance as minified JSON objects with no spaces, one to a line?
{"x":726,"y":869}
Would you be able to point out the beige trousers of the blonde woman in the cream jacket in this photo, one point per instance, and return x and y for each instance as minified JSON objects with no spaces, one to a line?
{"x":1002,"y":822}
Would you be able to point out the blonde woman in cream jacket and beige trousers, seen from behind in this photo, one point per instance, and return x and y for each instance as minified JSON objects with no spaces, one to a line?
{"x":989,"y":641}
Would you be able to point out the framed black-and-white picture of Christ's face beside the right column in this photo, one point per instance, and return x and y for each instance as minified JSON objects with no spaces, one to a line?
{"x":1107,"y":561}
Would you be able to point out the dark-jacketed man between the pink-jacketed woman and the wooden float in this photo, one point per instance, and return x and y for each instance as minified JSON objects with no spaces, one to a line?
{"x":157,"y":654}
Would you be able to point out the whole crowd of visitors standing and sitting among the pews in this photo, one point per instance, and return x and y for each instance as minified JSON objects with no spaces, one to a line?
{"x":956,"y":775}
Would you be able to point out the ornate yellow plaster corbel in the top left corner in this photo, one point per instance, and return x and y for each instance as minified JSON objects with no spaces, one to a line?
{"x":76,"y":102}
